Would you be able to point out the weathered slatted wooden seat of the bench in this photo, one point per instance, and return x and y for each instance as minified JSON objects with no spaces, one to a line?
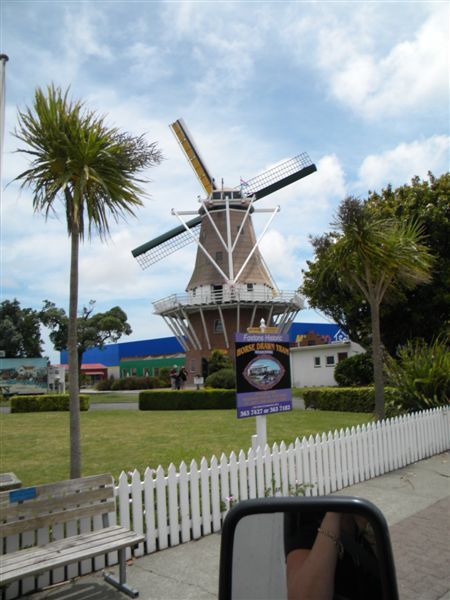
{"x":63,"y":552}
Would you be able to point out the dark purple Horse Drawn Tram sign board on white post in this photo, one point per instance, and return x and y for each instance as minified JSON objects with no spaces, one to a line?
{"x":263,"y":378}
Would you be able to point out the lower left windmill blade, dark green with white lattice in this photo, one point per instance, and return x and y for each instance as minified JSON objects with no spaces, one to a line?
{"x":166,"y":244}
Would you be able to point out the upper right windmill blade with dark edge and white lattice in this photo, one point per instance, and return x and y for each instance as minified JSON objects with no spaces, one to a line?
{"x":280,"y":176}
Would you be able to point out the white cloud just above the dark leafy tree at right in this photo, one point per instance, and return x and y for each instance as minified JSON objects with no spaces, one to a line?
{"x":398,"y":165}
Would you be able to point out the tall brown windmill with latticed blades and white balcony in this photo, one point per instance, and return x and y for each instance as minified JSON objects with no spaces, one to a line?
{"x":231,"y":287}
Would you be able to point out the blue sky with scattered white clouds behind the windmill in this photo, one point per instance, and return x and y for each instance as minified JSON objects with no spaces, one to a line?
{"x":362,"y":87}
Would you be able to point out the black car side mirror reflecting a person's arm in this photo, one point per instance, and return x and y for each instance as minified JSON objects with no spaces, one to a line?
{"x":320,"y":548}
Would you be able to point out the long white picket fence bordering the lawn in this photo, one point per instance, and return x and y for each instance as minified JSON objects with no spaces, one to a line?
{"x":185,"y":505}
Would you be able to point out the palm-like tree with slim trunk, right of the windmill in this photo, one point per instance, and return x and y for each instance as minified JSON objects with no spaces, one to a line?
{"x":372,"y":256}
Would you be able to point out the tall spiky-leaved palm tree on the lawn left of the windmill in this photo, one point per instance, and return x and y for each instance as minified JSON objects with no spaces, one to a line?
{"x":76,"y":158}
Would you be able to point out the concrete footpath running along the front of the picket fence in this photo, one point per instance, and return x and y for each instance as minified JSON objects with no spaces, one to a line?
{"x":415,"y":501}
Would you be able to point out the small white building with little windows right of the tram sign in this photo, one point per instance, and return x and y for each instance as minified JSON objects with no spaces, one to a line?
{"x":313,"y":366}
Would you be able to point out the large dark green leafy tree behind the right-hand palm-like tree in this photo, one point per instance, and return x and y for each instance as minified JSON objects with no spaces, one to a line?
{"x":405,"y":318}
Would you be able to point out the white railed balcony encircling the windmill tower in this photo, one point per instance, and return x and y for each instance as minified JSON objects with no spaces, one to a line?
{"x":210,"y":295}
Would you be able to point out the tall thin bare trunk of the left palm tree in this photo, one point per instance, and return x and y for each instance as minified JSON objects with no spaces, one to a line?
{"x":74,"y":393}
